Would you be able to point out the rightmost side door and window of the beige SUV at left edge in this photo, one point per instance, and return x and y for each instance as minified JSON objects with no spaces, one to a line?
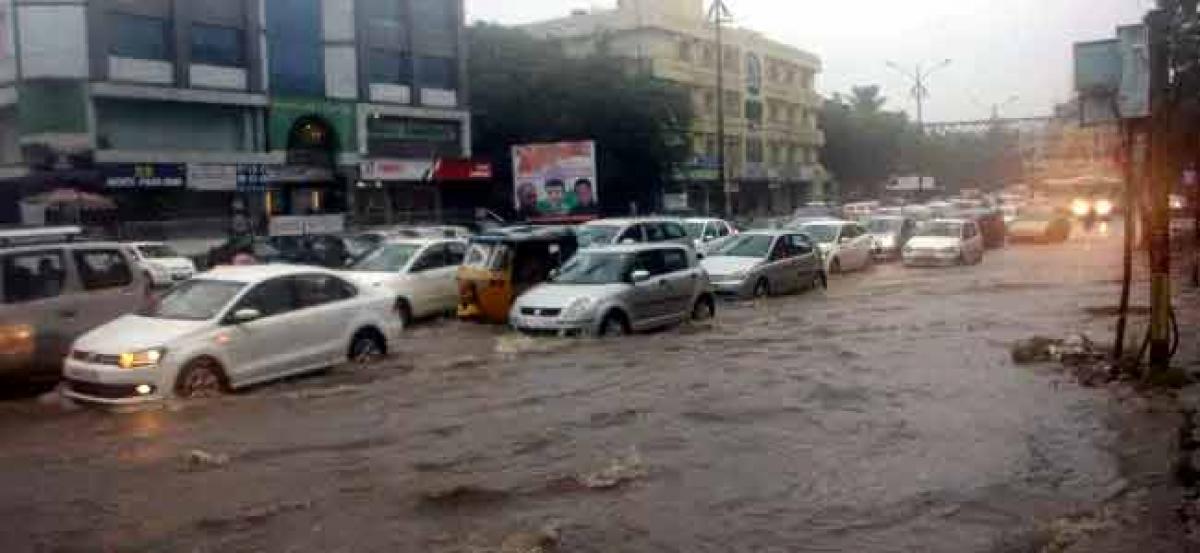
{"x":110,"y":285}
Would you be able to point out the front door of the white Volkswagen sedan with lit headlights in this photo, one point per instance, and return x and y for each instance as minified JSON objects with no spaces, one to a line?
{"x":277,"y":341}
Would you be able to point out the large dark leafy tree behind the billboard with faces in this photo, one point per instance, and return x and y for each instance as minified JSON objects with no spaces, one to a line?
{"x":526,"y":91}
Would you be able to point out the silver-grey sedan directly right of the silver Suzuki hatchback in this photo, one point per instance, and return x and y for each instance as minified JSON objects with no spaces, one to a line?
{"x":763,"y":263}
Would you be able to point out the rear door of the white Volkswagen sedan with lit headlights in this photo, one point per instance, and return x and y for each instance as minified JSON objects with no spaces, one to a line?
{"x":326,"y":314}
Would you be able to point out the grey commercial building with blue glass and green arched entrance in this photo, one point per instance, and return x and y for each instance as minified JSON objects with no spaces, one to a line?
{"x":178,"y":110}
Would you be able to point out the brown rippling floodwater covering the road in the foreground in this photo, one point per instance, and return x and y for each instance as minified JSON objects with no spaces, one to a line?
{"x":883,"y":416}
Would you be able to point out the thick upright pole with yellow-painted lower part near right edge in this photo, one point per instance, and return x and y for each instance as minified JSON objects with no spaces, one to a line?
{"x":1159,"y":25}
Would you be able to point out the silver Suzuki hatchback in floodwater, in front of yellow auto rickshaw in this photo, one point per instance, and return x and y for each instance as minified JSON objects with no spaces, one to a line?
{"x":619,"y":290}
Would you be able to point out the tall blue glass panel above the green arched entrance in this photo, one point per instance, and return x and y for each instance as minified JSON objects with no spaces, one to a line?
{"x":296,"y":55}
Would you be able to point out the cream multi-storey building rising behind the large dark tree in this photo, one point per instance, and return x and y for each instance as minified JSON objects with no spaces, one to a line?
{"x":773,"y":141}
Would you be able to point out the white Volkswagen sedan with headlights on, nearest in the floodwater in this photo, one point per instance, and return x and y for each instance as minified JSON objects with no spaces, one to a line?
{"x":231,"y":328}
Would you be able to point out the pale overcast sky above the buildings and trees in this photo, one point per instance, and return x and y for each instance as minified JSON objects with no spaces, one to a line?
{"x":1000,"y":49}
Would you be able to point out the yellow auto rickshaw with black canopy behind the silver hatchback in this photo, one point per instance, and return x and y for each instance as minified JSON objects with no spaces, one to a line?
{"x":503,"y":265}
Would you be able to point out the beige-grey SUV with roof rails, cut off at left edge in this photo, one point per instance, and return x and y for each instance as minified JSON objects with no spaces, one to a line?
{"x":56,"y":291}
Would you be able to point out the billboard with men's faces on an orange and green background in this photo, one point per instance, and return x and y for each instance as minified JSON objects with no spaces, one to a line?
{"x":556,"y":182}
